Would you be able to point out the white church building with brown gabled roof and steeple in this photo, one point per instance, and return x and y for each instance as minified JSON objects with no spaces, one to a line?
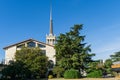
{"x":47,"y":48}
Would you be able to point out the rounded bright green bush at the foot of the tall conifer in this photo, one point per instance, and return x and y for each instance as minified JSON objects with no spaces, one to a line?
{"x":71,"y":74}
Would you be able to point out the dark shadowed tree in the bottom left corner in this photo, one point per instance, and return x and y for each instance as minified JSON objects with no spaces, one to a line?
{"x":14,"y":71}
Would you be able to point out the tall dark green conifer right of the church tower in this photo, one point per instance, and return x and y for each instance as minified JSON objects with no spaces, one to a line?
{"x":71,"y":52}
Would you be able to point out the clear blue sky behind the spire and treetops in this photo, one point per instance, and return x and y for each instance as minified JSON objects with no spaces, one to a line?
{"x":24,"y":19}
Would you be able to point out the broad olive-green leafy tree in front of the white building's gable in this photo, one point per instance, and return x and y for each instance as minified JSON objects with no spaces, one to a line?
{"x":34,"y":60}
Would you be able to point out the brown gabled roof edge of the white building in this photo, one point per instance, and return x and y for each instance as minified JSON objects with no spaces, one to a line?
{"x":27,"y":41}
